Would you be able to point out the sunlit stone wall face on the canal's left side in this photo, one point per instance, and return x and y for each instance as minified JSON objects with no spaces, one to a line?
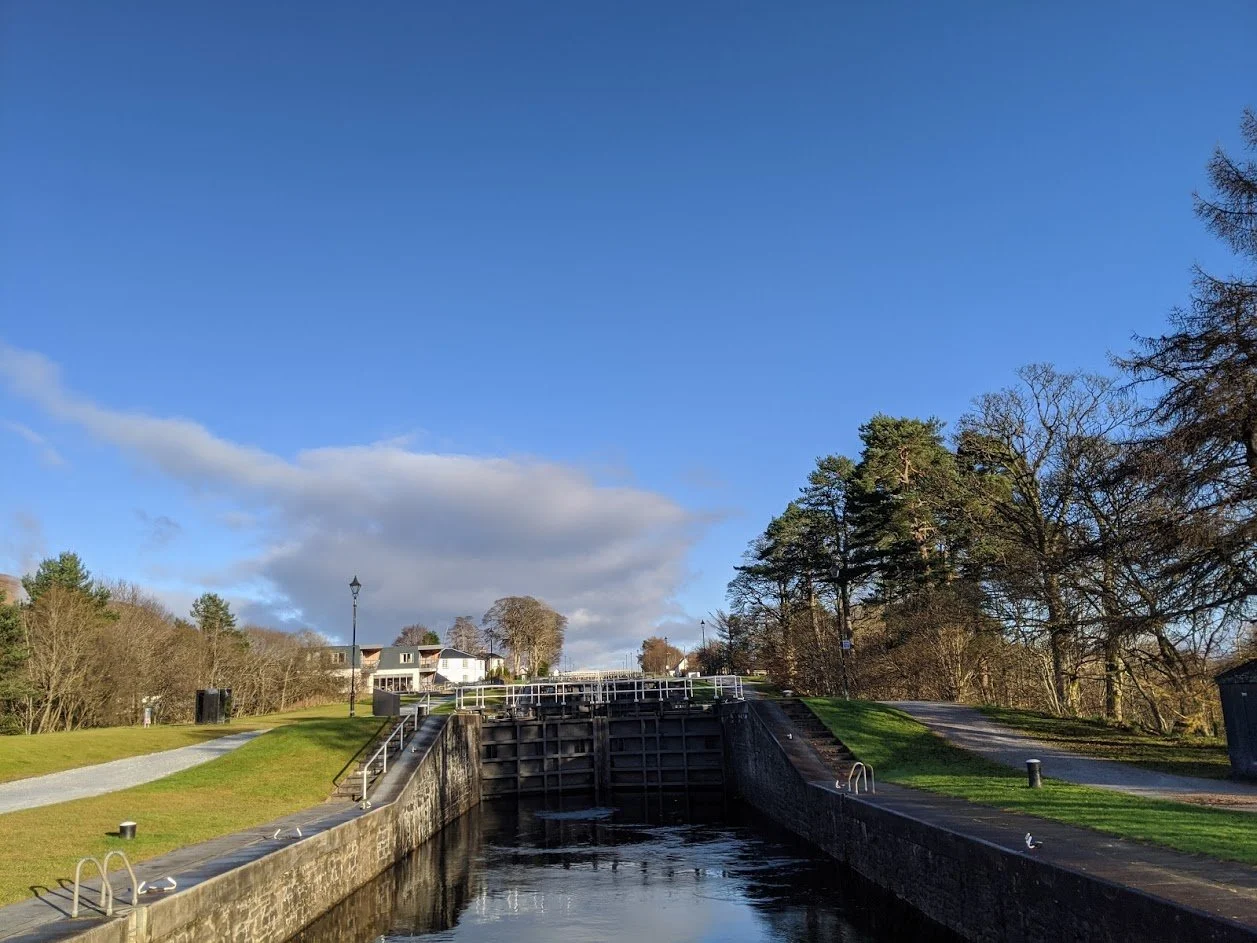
{"x":273,"y":898}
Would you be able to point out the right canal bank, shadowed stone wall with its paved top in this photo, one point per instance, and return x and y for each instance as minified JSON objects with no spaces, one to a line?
{"x":970,"y":868}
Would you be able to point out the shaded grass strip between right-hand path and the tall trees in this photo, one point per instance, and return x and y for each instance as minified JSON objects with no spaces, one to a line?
{"x":1186,"y":756}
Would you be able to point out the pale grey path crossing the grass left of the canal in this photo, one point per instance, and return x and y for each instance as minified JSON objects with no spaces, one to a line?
{"x":116,"y":775}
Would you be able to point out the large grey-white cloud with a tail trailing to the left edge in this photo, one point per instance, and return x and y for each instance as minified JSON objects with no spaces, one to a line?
{"x":431,"y":535}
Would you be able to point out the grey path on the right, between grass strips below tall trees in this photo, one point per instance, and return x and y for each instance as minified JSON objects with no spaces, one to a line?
{"x":971,"y":730}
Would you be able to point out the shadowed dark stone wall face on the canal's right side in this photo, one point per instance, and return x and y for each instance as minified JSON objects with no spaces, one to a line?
{"x":977,"y":890}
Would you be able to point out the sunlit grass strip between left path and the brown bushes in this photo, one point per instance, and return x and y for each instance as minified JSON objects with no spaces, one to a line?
{"x":52,"y":753}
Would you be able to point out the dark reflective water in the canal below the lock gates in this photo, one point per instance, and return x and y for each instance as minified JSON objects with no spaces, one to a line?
{"x":659,"y":869}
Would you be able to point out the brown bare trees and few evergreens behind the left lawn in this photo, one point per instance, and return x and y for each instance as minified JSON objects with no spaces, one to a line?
{"x":82,"y":653}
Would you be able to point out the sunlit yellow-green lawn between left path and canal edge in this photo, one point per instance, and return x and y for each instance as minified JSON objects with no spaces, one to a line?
{"x":285,"y":771}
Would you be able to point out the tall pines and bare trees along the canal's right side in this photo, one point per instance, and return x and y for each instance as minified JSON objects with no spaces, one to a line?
{"x":1080,"y":544}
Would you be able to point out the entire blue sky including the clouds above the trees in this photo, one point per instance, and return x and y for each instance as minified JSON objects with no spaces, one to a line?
{"x":625,"y":268}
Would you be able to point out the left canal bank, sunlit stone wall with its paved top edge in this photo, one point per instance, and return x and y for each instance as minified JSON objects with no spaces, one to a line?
{"x":260,"y":888}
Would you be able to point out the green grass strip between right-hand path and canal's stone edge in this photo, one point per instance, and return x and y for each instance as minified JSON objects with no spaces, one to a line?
{"x":903,"y":751}
